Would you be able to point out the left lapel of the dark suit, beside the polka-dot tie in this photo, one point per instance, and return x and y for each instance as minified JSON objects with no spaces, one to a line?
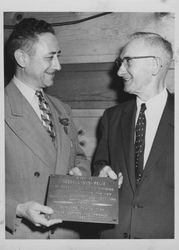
{"x":127,"y":130}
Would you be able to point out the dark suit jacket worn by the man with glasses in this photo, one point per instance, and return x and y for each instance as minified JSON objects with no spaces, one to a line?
{"x":148,"y":210}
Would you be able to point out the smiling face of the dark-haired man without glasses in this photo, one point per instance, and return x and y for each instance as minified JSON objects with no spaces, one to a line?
{"x":43,"y":61}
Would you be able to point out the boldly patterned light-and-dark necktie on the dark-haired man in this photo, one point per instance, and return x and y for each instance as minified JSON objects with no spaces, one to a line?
{"x":46,"y":115}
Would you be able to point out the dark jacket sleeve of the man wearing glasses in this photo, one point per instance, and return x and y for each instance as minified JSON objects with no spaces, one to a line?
{"x":101,"y":157}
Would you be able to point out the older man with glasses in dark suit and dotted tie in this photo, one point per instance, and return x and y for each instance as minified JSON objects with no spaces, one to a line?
{"x":138,"y":144}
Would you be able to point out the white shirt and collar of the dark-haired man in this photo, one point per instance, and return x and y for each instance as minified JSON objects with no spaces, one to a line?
{"x":29,"y":94}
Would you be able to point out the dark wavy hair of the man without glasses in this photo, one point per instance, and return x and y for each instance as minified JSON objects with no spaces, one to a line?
{"x":25,"y":33}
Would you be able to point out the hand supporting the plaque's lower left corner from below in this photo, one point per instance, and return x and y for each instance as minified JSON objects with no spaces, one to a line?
{"x":36,"y":213}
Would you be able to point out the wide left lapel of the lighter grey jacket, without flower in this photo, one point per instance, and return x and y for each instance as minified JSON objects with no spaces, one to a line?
{"x":25,"y":123}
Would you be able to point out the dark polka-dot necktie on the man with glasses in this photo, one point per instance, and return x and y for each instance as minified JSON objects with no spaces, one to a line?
{"x":140,"y":143}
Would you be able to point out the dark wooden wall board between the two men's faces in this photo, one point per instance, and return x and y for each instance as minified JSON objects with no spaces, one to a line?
{"x":93,"y":86}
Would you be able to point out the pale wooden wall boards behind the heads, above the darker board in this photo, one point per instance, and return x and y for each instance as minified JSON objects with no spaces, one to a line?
{"x":99,"y":39}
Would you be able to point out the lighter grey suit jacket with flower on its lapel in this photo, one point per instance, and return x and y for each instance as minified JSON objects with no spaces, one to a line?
{"x":31,"y":157}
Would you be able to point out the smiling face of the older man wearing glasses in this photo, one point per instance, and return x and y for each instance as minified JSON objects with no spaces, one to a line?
{"x":137,"y":73}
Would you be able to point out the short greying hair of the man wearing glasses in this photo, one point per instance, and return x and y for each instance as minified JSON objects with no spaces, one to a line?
{"x":155,"y":40}
